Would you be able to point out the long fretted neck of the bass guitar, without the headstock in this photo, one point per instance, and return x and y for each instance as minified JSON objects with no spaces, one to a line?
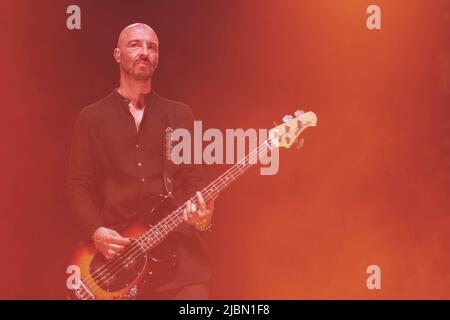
{"x":163,"y":228}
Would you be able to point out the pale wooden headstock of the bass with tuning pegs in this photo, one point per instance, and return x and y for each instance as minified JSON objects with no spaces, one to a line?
{"x":288,"y":133}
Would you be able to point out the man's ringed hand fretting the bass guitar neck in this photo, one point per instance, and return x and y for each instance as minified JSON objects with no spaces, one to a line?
{"x":200,"y":217}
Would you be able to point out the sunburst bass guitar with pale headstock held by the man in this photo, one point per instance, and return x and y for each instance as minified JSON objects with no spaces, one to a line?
{"x":120,"y":277}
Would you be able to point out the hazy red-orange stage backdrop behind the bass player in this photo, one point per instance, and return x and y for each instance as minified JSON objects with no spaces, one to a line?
{"x":370,"y":186}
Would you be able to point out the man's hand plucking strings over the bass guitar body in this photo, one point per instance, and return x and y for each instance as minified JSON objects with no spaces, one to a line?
{"x":109,"y":242}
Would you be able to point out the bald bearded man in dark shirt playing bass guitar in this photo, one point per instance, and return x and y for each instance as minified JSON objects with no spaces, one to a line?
{"x":118,"y":160}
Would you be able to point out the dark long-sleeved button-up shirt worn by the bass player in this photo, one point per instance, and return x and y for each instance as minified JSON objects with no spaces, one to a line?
{"x":114,"y":167}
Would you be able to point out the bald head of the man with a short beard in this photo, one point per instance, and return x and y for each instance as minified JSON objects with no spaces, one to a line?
{"x":137,"y":52}
